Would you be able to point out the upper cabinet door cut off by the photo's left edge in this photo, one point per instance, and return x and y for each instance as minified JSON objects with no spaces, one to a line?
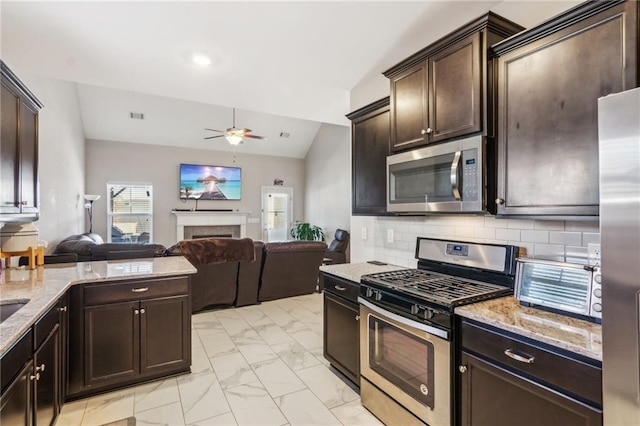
{"x":9,"y":152}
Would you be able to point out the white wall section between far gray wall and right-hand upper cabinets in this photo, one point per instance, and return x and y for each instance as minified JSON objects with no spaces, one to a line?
{"x":327,"y":198}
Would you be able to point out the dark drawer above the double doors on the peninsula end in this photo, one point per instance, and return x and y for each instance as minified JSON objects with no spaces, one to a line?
{"x":135,"y":290}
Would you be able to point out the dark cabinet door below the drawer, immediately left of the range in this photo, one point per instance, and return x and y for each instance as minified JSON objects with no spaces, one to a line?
{"x":341,"y":336}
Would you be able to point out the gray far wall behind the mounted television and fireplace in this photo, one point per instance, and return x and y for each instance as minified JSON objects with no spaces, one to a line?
{"x":109,"y":161}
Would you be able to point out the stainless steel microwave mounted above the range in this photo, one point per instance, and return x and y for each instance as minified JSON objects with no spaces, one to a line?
{"x":441,"y":178}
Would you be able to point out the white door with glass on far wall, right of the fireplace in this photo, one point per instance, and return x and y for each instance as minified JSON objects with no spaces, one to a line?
{"x":277,"y":213}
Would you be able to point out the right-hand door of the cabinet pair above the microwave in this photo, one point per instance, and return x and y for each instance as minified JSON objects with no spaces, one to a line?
{"x":455,"y":90}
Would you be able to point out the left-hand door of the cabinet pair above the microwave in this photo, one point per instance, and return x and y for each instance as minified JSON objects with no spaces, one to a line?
{"x":409,"y":108}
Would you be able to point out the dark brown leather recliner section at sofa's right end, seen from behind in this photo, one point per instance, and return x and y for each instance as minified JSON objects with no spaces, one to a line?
{"x":290,"y":269}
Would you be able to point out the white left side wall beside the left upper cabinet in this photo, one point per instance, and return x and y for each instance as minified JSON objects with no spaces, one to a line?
{"x":61,"y":159}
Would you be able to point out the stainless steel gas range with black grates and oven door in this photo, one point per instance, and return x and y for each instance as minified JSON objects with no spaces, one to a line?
{"x":407,"y":327}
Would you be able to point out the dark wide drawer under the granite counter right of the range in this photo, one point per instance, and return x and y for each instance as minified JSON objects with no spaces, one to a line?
{"x":557,"y":371}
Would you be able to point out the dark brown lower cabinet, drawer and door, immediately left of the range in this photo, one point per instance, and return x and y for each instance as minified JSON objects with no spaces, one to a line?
{"x":341,"y":326}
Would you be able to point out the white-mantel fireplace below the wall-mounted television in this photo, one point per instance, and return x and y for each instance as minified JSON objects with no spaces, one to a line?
{"x":205,"y":224}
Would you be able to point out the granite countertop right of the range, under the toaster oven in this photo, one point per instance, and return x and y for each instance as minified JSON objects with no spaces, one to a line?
{"x":575,"y":335}
